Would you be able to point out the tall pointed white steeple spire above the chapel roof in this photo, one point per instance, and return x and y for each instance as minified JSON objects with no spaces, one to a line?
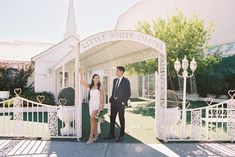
{"x":71,"y":29}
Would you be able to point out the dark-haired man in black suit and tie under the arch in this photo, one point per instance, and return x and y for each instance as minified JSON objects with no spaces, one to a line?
{"x":120,"y":95}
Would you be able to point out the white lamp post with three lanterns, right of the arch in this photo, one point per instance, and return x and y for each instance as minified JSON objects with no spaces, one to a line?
{"x":184,"y":75}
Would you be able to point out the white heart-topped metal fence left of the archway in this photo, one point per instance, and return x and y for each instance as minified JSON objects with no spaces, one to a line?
{"x":20,"y":117}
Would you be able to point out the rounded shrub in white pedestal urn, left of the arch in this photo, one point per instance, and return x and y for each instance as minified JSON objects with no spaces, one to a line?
{"x":65,"y":113}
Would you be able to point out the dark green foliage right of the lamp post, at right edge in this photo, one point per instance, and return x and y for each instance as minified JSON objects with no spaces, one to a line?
{"x":217,"y":78}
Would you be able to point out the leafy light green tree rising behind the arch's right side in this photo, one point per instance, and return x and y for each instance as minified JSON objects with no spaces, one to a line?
{"x":183,"y":36}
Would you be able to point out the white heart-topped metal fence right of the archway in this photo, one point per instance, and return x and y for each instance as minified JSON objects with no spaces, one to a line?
{"x":211,"y":123}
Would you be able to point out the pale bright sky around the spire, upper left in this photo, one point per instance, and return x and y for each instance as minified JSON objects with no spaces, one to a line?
{"x":45,"y":20}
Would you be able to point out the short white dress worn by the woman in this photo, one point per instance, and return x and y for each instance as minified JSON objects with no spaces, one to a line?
{"x":94,"y":104}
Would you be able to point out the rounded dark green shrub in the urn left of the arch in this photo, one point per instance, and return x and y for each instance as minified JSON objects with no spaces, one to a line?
{"x":68,"y":94}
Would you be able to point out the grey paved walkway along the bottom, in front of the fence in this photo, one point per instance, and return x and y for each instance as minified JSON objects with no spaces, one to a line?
{"x":36,"y":148}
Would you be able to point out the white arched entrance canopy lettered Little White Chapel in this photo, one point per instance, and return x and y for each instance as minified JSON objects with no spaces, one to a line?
{"x":112,"y":48}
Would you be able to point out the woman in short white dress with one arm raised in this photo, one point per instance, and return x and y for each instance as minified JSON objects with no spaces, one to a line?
{"x":96,"y":103}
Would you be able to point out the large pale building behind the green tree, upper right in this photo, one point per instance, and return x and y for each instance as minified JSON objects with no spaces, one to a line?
{"x":220,"y":12}
